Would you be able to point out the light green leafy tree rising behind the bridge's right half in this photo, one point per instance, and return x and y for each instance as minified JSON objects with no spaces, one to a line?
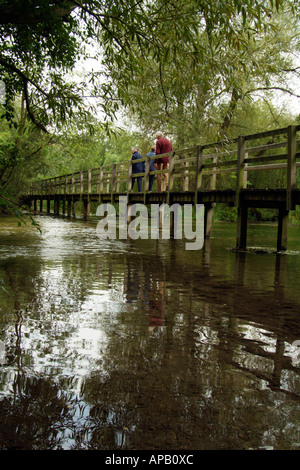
{"x":195,"y":92}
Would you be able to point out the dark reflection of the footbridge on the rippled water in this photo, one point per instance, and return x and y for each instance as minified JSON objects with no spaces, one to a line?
{"x":156,"y":287}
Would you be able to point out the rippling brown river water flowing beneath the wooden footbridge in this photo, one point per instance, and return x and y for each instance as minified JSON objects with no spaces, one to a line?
{"x":123,"y":344}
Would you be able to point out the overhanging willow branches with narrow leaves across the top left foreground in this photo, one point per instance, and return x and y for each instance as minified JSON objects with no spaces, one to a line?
{"x":41,"y":41}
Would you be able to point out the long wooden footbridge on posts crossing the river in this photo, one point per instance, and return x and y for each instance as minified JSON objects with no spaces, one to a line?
{"x":223,"y":172}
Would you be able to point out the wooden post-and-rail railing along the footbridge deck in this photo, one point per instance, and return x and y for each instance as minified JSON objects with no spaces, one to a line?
{"x":236,"y":164}
